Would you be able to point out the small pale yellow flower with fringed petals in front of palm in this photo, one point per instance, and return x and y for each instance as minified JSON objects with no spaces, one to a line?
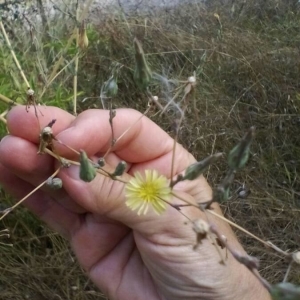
{"x":152,"y":190}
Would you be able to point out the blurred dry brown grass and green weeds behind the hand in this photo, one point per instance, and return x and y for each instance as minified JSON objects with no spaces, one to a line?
{"x":246,"y":58}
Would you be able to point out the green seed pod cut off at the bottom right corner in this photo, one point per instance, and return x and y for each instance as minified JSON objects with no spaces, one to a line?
{"x":285,"y":291}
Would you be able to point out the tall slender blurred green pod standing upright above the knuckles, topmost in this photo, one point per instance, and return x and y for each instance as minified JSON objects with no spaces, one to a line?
{"x":142,"y":74}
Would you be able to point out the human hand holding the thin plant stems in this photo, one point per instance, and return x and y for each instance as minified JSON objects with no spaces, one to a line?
{"x":126,"y":255}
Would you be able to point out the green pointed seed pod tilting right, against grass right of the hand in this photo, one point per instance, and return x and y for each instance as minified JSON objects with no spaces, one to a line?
{"x":239,"y":155}
